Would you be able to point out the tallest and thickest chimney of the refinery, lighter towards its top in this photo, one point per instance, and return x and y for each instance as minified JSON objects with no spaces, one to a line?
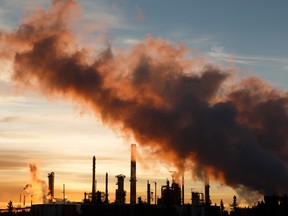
{"x":133,"y":175}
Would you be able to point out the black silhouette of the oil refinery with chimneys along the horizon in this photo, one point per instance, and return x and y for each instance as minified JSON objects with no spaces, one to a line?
{"x":170,"y":203}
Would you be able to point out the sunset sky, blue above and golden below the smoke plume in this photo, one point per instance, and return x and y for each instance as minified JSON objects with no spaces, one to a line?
{"x":62,"y":135}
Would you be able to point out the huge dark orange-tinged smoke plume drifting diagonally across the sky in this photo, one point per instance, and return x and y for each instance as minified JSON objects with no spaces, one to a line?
{"x":182,"y":108}
